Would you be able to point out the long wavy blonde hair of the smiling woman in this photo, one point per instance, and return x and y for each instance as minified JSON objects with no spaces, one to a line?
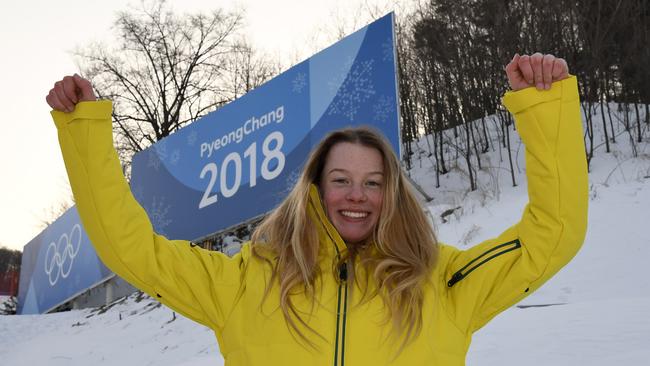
{"x":399,"y":255}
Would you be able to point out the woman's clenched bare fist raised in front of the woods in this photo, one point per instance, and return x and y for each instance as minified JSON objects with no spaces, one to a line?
{"x":536,"y":70}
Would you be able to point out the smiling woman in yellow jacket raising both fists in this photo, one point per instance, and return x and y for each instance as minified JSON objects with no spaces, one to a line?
{"x":347,"y":269}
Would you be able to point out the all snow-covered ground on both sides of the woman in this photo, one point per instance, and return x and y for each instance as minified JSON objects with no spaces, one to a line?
{"x":594,"y":311}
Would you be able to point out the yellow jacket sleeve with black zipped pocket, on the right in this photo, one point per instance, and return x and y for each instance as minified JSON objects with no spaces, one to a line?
{"x":492,"y":276}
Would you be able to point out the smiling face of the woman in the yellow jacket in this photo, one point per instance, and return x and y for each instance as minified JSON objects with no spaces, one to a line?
{"x":352,"y":188}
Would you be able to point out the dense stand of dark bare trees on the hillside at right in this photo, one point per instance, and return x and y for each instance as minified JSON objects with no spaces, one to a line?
{"x":451,"y":70}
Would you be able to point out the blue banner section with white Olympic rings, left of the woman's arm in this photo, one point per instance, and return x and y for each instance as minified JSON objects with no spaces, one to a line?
{"x":57,"y":265}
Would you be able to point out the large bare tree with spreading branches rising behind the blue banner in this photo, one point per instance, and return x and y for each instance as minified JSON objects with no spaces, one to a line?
{"x":168,"y":70}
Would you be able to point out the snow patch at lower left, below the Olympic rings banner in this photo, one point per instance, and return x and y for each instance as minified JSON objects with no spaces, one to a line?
{"x":130,"y":333}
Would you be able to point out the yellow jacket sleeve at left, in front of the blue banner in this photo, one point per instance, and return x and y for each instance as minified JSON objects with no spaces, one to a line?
{"x":200,"y":284}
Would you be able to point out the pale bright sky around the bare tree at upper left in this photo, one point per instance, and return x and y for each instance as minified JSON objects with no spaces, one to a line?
{"x":37,"y":39}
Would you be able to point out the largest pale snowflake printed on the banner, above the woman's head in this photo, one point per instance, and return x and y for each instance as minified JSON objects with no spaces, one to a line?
{"x":356,"y":89}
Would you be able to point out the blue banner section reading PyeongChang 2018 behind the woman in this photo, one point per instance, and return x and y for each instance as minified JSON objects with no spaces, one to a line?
{"x":240,"y":161}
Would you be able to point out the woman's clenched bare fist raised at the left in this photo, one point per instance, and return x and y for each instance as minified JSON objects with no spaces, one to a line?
{"x":69,"y":91}
